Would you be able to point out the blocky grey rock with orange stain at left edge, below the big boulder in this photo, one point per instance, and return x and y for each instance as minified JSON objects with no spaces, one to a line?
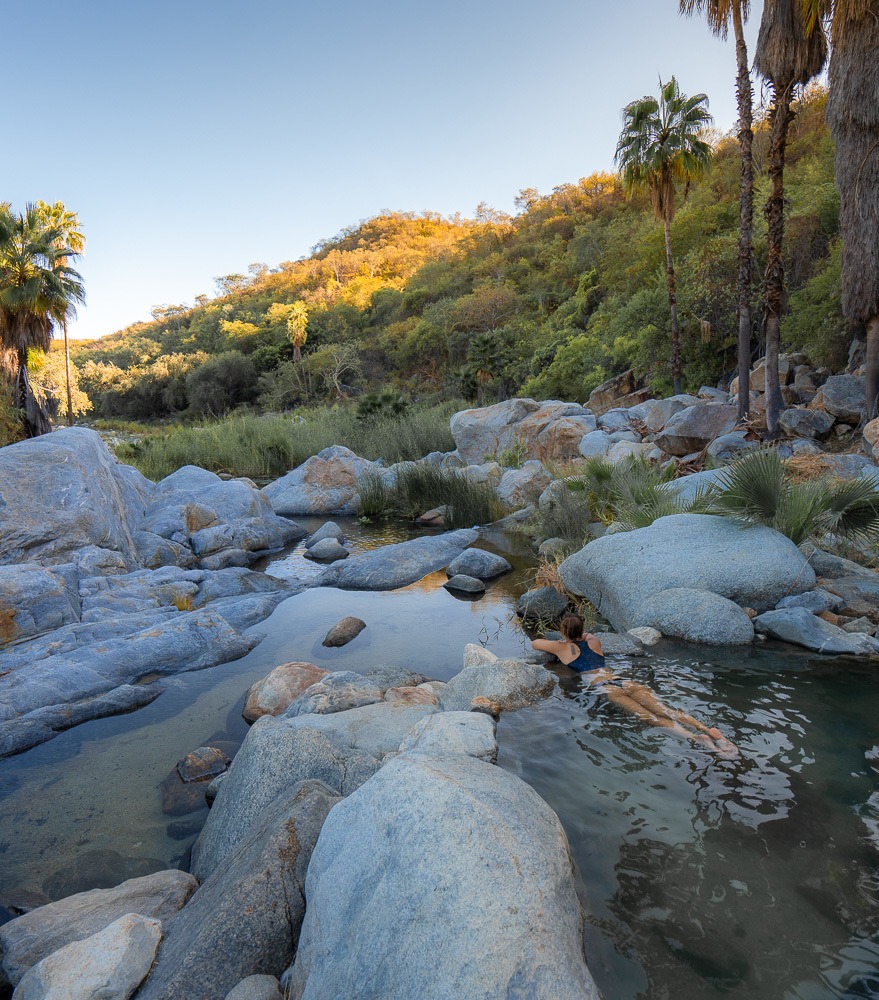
{"x":34,"y":600}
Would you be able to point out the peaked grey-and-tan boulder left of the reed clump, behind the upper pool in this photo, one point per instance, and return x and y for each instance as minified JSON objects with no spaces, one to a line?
{"x":326,"y":483}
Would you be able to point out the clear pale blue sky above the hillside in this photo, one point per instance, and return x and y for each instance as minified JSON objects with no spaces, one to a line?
{"x":194,"y":138}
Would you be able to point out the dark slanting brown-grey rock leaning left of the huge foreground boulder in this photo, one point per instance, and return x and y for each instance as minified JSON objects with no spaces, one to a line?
{"x":245,"y":918}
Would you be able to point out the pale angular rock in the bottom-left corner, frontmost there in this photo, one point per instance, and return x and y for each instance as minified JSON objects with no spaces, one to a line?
{"x":111,"y":963}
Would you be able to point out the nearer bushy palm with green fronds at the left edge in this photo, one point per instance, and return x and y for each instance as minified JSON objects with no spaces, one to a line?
{"x":37,"y":288}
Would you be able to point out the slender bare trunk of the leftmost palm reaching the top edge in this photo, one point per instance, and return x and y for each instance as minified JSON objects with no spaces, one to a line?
{"x":746,"y":209}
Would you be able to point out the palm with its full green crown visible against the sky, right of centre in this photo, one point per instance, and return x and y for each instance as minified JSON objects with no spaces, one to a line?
{"x":659,"y":150}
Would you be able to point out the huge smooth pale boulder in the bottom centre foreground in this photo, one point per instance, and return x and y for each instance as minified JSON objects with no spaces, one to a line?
{"x":443,"y":877}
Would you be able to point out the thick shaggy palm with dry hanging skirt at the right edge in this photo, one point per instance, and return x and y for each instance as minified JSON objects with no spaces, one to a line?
{"x":853,"y":116}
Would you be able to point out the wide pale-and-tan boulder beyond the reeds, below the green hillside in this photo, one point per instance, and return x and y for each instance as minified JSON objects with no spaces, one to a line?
{"x":549,"y":430}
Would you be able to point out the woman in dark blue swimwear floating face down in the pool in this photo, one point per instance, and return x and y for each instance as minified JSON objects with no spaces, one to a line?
{"x":581,"y":651}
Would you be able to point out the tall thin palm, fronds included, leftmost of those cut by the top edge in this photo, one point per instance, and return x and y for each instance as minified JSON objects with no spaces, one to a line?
{"x":720,"y":14}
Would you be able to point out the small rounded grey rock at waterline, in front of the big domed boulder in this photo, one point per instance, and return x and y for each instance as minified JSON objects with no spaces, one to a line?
{"x":697,"y":616}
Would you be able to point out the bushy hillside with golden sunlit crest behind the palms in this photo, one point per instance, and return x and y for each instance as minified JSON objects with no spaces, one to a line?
{"x":548,"y":302}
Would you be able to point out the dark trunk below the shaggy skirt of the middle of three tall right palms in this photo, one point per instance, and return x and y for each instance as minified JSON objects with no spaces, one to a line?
{"x":780,"y":116}
